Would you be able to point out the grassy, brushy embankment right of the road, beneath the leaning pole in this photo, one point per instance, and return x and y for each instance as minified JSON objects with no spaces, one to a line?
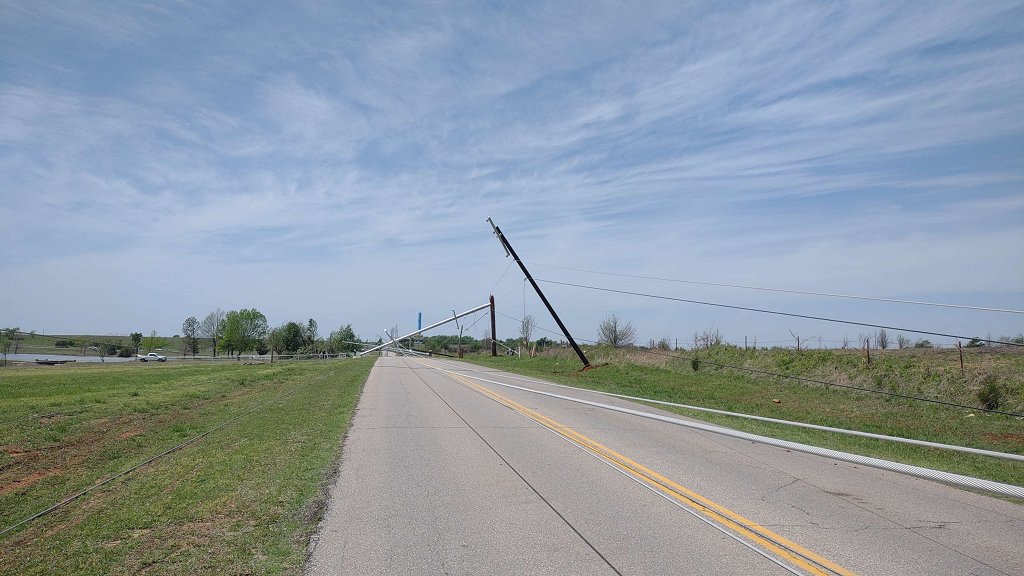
{"x":929,"y":374}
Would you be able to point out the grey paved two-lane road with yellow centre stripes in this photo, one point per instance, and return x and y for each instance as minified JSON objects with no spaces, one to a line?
{"x":443,"y":474}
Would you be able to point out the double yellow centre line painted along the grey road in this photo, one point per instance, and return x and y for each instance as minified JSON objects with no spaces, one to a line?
{"x":784,"y":549}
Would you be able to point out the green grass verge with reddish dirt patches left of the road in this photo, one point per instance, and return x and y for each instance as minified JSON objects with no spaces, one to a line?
{"x":244,"y":500}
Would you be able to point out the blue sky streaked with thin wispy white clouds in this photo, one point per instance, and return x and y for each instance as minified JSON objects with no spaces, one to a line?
{"x":339,"y":160}
